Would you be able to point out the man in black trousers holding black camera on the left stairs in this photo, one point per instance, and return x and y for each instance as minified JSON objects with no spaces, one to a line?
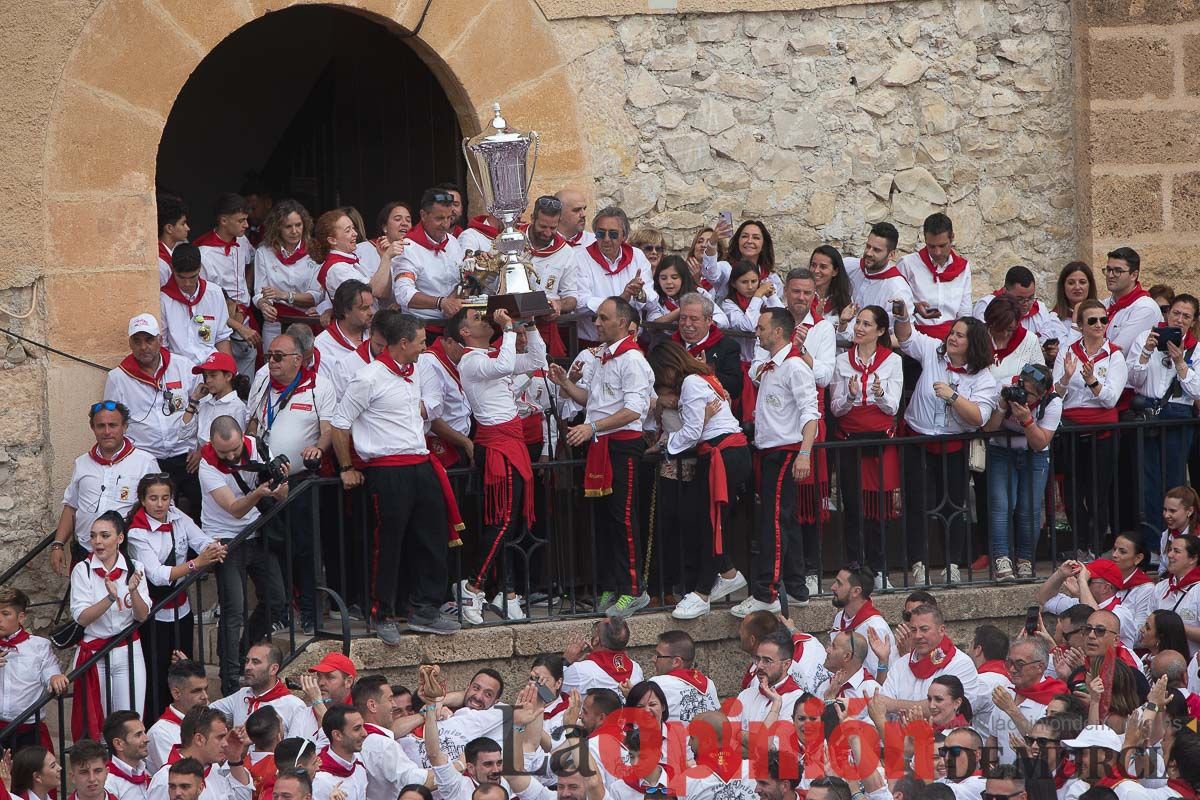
{"x":233,"y":483}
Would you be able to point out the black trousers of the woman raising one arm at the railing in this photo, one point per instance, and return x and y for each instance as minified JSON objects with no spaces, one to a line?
{"x":937,"y":490}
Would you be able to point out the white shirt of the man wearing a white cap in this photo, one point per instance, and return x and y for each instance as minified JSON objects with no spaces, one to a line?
{"x":160,"y":435}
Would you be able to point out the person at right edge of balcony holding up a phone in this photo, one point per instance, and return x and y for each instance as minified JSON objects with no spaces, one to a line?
{"x":1167,"y":387}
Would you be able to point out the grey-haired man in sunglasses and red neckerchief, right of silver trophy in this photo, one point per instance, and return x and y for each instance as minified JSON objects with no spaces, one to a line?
{"x":611,"y":267}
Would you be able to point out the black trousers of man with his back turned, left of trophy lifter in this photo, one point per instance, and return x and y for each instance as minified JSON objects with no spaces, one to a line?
{"x":411,"y":527}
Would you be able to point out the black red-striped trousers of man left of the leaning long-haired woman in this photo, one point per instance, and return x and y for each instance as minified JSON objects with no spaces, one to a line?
{"x":619,"y":539}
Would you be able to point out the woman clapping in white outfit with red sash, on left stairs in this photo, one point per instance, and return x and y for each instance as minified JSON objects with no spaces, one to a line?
{"x":109,"y":593}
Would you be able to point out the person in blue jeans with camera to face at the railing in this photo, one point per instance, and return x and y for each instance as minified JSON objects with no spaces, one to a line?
{"x":1018,"y":466}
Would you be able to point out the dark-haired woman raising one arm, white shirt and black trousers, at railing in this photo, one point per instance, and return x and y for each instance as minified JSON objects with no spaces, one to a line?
{"x":956,"y":394}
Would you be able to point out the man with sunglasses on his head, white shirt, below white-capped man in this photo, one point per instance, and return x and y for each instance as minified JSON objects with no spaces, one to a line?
{"x":105,"y":479}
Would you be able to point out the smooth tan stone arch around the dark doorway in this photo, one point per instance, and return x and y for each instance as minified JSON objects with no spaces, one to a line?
{"x":119,"y":86}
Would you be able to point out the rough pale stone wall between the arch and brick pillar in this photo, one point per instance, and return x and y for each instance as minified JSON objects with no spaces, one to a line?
{"x":825,"y":122}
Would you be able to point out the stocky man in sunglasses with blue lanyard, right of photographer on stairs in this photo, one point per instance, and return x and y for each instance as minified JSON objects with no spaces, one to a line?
{"x":290,"y":411}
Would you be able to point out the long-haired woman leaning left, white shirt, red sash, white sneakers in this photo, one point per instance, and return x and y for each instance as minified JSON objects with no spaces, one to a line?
{"x":707,"y":426}
